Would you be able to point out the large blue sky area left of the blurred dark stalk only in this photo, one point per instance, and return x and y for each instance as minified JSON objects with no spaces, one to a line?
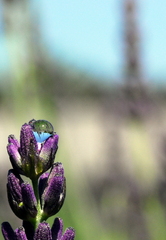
{"x":82,"y":33}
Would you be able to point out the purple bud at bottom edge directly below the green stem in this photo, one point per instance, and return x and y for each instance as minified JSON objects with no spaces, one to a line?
{"x":43,"y":232}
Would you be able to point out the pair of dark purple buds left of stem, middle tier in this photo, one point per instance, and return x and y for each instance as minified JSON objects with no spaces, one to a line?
{"x":21,"y":197}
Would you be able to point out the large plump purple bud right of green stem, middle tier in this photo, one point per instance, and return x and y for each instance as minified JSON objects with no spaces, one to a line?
{"x":54,"y":194}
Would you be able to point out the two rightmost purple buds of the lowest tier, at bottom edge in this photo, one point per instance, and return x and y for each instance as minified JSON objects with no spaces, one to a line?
{"x":57,"y":231}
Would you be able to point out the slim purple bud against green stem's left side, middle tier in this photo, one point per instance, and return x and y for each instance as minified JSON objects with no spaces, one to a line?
{"x":29,"y":199}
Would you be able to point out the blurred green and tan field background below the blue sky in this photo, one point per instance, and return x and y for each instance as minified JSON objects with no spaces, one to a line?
{"x":112,"y":138}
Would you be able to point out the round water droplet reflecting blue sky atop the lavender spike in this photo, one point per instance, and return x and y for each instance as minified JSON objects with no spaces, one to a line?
{"x":42,"y":129}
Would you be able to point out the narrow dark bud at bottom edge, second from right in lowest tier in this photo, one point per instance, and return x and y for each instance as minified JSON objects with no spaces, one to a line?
{"x":57,"y":229}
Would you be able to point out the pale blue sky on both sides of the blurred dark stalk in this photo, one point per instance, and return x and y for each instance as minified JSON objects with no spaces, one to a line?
{"x":88,"y":34}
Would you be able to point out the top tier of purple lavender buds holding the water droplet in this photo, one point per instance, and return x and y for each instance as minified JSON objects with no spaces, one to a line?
{"x":36,"y":152}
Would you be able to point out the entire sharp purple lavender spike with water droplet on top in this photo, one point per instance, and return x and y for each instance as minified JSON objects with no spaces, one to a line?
{"x":35,"y":203}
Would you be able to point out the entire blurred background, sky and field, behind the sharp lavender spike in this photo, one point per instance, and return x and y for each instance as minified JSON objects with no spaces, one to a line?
{"x":97,"y":71}
